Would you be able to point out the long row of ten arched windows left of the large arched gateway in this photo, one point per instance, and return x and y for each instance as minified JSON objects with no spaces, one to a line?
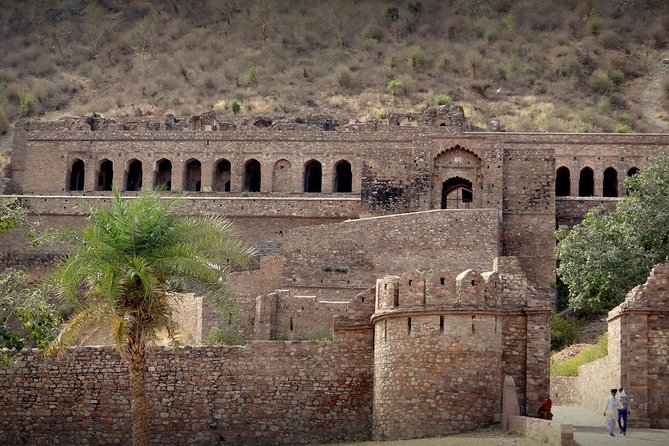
{"x":282,"y":176}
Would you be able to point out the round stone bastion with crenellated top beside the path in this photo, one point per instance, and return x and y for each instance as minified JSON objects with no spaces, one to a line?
{"x":440,"y":345}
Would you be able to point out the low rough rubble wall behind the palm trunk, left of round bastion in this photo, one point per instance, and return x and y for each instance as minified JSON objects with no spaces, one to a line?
{"x":263,"y":393}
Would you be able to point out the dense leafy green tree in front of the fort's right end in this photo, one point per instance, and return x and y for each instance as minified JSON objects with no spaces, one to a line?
{"x":605,"y":256}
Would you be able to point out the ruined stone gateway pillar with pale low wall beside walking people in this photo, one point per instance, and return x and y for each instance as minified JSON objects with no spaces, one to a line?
{"x":637,"y":358}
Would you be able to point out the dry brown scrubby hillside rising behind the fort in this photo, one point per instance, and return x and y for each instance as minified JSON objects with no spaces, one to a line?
{"x":533,"y":65}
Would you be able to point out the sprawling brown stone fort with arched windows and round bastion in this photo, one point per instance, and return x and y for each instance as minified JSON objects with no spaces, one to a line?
{"x":423,"y":248}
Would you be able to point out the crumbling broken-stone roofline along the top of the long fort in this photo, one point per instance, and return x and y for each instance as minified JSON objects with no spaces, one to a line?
{"x":451,"y":117}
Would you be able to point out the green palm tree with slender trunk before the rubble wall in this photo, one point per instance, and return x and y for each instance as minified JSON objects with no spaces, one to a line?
{"x":126,"y":261}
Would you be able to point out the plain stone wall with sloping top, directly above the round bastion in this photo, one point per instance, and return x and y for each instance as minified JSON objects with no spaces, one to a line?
{"x":330,"y":260}
